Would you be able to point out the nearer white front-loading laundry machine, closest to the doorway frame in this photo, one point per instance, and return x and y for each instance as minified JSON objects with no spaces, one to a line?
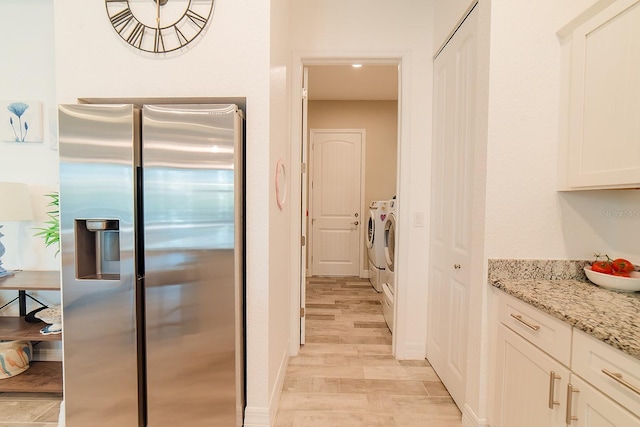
{"x":389,"y":285}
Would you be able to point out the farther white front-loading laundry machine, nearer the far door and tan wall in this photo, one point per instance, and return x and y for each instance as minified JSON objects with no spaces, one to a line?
{"x":375,"y":242}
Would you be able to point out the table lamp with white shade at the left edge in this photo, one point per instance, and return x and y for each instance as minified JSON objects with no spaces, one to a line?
{"x":15,"y":205}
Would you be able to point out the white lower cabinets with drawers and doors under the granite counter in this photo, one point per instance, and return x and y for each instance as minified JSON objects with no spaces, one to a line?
{"x":534,"y":389}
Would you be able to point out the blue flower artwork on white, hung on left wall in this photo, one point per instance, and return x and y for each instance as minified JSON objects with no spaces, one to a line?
{"x":21,"y":121}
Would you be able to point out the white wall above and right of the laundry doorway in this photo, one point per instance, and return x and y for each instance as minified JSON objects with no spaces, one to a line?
{"x":374,"y":29}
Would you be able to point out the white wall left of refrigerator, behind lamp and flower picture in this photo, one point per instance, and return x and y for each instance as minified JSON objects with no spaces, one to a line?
{"x":27,"y":52}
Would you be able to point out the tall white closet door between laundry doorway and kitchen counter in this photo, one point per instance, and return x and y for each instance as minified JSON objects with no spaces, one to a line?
{"x":452,"y":169}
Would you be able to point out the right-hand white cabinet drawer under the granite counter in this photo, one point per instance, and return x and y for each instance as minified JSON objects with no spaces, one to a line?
{"x":593,"y":359}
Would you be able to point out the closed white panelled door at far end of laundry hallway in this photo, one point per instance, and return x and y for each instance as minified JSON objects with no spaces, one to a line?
{"x":336,"y":218}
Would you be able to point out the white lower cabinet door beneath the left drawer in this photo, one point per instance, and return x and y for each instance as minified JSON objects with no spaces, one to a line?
{"x":531,"y":386}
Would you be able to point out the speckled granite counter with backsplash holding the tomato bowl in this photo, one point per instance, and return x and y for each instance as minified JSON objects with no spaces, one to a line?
{"x":561,"y":289}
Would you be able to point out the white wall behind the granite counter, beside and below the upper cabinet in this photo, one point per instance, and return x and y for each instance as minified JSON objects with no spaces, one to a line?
{"x":526,"y":216}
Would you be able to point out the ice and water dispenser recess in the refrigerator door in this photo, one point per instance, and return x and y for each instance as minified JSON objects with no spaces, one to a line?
{"x":97,"y":249}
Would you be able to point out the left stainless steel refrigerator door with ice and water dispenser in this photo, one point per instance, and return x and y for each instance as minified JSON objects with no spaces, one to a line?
{"x":97,"y":158}
